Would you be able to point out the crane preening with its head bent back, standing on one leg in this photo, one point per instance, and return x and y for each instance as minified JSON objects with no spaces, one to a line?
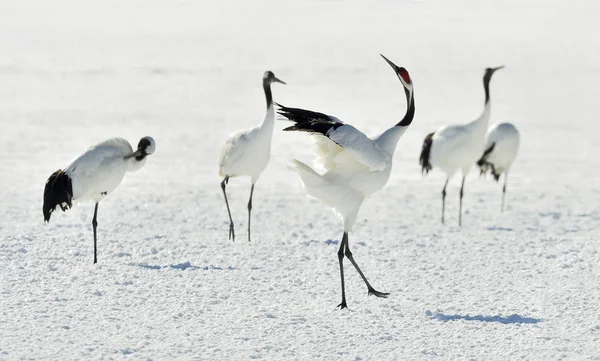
{"x":93,"y":175}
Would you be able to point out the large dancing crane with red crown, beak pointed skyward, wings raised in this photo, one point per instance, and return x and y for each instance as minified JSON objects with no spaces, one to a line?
{"x":355,"y":165}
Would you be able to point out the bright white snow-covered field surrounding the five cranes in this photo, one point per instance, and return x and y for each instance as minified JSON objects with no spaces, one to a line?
{"x":169,"y":285}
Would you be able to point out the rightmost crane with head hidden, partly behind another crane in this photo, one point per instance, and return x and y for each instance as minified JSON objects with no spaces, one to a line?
{"x":500,"y":150}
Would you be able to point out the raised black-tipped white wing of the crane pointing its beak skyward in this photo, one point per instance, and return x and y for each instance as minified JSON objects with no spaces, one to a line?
{"x":352,"y":145}
